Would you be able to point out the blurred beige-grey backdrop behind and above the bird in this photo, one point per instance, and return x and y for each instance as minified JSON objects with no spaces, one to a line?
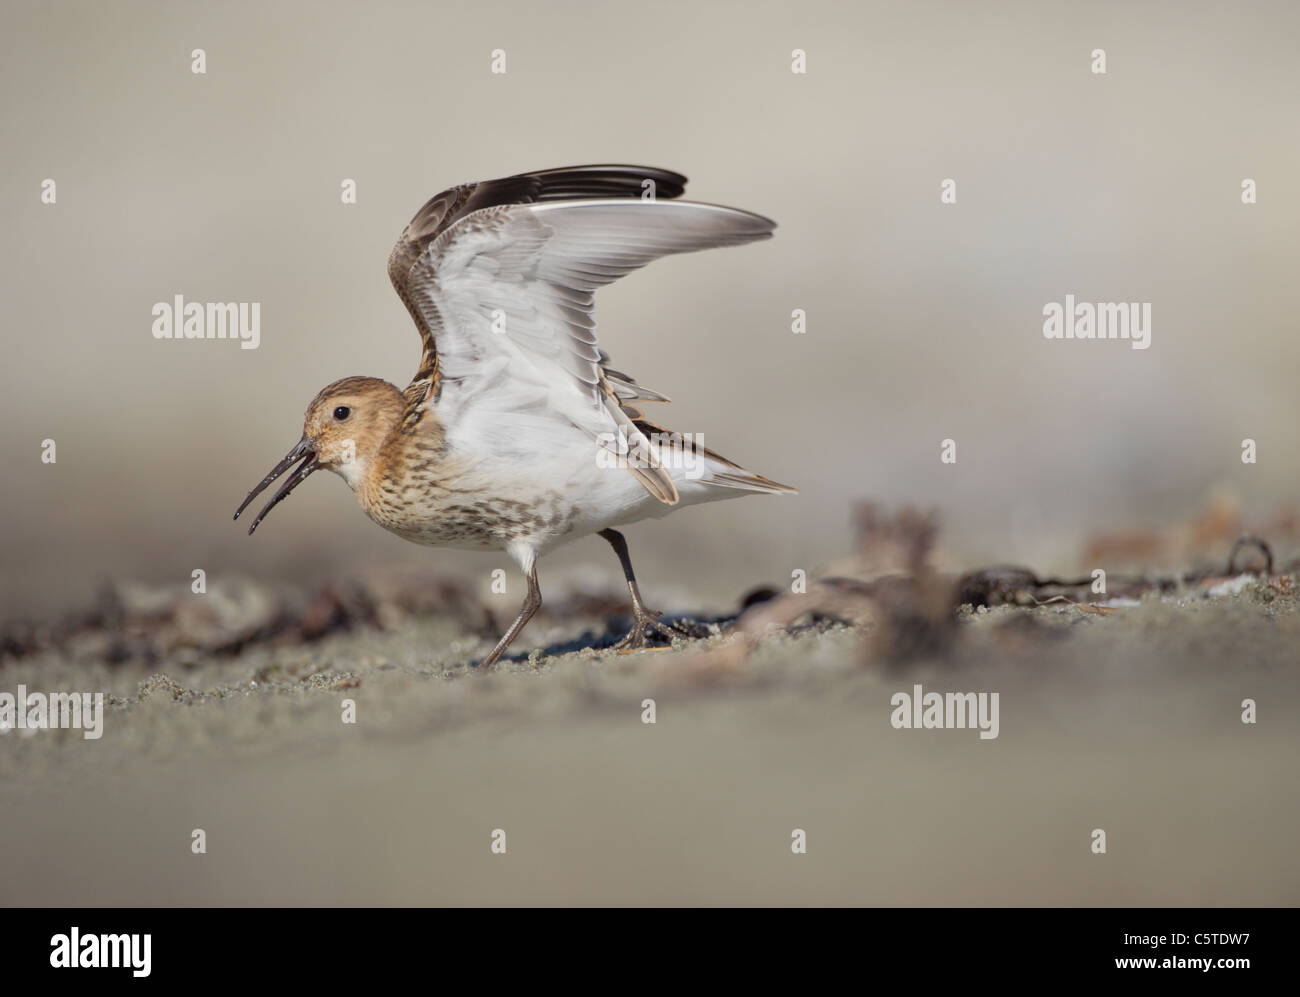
{"x":924,"y":319}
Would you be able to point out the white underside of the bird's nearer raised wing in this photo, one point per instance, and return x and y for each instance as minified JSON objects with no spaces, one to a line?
{"x":504,"y":297}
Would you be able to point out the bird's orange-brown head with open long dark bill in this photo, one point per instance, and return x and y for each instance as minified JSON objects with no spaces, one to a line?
{"x":344,"y":431}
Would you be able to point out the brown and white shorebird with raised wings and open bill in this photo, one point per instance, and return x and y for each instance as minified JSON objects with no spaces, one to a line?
{"x":515,"y":434}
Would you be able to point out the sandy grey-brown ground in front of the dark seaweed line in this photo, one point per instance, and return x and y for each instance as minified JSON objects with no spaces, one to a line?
{"x":1129,"y":722}
